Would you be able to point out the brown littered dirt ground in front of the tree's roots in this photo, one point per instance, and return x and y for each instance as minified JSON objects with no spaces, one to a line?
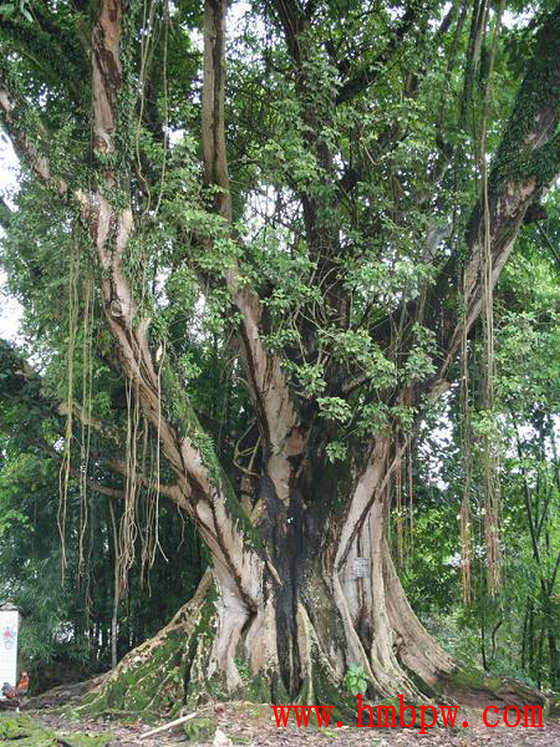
{"x":248,"y":724}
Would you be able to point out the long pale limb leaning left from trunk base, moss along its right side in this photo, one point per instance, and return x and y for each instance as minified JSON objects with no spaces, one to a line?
{"x":238,"y":567}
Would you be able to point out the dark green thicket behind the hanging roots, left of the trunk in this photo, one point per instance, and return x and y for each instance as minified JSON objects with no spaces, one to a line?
{"x":71,"y":628}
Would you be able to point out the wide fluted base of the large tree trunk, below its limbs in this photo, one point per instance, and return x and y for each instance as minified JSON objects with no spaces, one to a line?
{"x":325,"y":612}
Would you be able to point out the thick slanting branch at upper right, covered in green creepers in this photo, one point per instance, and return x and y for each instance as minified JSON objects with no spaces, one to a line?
{"x":526,"y":163}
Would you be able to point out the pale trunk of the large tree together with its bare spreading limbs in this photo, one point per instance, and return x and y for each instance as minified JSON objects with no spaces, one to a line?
{"x":304,"y":587}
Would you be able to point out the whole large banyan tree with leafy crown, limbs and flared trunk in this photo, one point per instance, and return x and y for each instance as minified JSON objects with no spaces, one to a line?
{"x":325,"y":193}
